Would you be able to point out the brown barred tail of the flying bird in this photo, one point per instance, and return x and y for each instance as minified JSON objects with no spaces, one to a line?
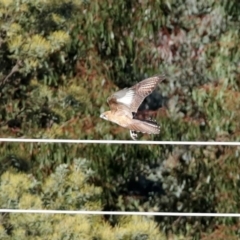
{"x":144,"y":126}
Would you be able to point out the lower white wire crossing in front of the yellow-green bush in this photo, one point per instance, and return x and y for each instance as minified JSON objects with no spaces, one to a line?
{"x":177,"y":214}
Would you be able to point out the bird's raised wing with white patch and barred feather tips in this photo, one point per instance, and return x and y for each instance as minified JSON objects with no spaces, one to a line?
{"x":131,"y":98}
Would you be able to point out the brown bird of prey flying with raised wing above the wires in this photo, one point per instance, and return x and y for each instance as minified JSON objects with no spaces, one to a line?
{"x":125,"y":103}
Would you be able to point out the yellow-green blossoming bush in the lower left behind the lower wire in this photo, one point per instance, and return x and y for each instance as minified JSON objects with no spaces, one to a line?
{"x":66,"y":188}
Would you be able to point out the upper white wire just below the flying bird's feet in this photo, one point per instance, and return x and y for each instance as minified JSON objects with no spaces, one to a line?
{"x":83,"y":141}
